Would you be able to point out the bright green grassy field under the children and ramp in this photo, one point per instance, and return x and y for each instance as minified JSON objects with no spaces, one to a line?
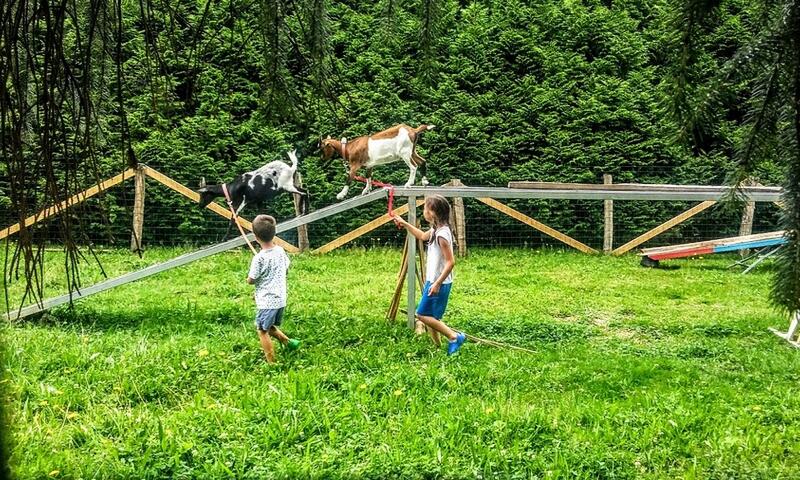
{"x":638,"y":374}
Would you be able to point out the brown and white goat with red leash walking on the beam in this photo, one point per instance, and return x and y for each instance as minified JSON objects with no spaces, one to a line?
{"x":394,"y":144}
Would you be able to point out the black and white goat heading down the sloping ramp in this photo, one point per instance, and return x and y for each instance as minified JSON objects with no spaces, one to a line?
{"x":257,"y":186}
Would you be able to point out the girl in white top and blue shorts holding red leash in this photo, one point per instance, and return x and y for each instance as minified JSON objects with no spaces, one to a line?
{"x":438,"y":271}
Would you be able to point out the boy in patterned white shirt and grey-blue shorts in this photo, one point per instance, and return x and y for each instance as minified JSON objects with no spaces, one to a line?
{"x":268,"y":273}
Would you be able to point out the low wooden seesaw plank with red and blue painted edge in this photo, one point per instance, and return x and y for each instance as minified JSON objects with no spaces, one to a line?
{"x":712,"y":246}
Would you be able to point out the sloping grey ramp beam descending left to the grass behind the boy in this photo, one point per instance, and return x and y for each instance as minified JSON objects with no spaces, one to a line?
{"x":193,"y":256}
